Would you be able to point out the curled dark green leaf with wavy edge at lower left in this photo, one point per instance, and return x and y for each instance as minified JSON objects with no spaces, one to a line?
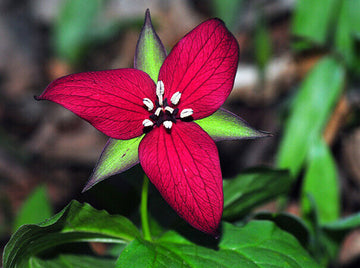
{"x":75,"y":223}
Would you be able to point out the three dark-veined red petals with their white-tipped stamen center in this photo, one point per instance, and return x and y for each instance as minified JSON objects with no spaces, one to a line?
{"x":177,"y":155}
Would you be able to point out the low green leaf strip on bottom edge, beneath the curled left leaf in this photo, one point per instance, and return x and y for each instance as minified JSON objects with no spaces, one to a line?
{"x":72,"y":261}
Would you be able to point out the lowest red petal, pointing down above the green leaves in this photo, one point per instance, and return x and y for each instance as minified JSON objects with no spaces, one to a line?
{"x":184,"y":166}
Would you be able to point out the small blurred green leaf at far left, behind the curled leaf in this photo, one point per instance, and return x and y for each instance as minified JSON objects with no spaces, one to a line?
{"x":35,"y":209}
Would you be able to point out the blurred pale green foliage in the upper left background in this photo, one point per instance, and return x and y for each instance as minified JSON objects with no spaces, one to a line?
{"x":80,"y":25}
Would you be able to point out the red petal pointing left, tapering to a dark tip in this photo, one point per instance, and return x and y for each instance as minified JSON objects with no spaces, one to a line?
{"x":112,"y":101}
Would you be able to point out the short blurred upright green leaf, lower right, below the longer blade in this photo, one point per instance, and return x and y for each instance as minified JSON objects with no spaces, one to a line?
{"x":321,"y":182}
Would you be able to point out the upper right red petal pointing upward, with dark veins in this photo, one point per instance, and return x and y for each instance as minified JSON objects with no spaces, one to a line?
{"x":202,"y":67}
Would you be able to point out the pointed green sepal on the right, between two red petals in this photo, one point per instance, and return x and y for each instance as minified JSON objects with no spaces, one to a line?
{"x":224,"y":125}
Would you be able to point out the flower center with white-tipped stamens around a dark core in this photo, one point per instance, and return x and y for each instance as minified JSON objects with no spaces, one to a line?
{"x":164,"y":113}
